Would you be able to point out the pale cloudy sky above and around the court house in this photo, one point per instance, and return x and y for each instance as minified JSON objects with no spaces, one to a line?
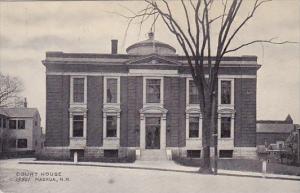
{"x":29,"y":29}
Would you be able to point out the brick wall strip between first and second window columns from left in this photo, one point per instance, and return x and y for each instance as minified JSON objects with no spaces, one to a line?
{"x":95,"y":115}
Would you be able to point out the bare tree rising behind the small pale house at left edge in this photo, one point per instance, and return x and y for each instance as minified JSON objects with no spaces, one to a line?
{"x":10,"y":89}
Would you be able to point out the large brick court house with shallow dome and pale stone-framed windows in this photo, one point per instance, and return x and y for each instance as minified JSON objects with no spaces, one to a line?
{"x":143,"y":103}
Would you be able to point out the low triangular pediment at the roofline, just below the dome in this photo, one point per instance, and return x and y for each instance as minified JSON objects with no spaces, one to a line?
{"x":153,"y":59}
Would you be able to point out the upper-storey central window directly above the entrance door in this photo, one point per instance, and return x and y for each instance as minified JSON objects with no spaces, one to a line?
{"x":152,"y":91}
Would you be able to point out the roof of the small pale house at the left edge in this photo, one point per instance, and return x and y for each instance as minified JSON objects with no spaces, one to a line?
{"x":20,"y":112}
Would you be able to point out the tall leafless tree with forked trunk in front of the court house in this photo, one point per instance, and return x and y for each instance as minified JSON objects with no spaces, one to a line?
{"x":204,"y":51}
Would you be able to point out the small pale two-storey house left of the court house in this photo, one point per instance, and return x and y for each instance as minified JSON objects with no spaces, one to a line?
{"x":23,"y":132}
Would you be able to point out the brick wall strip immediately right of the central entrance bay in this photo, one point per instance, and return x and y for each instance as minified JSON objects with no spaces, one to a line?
{"x":174,"y":102}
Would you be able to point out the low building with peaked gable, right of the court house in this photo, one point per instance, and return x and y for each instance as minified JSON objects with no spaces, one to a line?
{"x":273,"y":133}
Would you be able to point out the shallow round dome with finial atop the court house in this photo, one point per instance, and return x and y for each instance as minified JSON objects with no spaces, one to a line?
{"x":150,"y":46}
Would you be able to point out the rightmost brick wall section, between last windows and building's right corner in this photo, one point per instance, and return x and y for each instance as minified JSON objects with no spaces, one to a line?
{"x":245,"y":118}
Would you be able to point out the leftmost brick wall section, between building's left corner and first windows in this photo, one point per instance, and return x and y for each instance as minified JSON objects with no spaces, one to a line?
{"x":57,"y":115}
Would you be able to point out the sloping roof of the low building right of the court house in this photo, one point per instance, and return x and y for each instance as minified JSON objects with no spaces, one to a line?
{"x":274,"y":127}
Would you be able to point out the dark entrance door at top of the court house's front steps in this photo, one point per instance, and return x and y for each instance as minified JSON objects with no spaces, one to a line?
{"x":152,"y":133}
